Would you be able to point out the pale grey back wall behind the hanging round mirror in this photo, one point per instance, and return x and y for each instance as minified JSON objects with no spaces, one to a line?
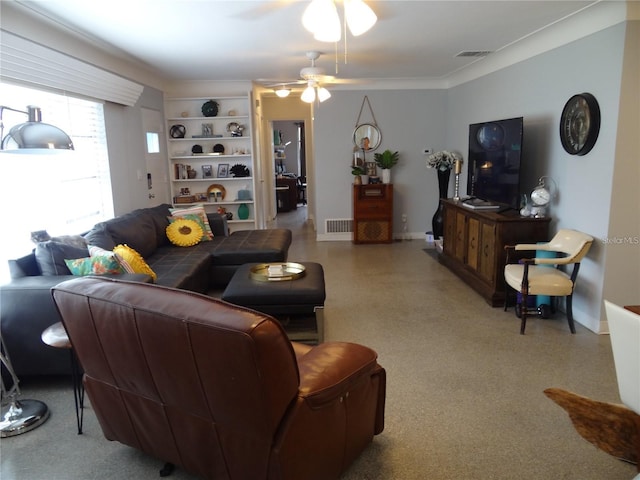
{"x":409,"y":121}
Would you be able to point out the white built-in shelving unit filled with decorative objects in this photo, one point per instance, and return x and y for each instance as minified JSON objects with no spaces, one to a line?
{"x":203,"y":151}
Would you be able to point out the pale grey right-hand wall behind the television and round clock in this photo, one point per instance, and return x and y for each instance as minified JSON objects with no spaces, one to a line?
{"x":584,"y":198}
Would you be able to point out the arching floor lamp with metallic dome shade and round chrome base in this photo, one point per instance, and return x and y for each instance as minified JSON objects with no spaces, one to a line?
{"x":34,"y":137}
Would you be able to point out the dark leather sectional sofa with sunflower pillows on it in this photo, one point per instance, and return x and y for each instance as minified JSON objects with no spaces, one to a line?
{"x":27,"y":309}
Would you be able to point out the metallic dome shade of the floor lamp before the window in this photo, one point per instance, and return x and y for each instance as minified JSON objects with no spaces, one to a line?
{"x":33,"y":134}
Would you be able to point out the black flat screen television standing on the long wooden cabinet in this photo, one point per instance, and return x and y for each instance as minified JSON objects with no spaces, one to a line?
{"x":494,"y":161}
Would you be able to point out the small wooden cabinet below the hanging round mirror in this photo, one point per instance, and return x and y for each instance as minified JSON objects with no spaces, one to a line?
{"x":373,"y":213}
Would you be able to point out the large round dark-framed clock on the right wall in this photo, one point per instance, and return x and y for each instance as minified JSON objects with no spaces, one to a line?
{"x":580,"y":124}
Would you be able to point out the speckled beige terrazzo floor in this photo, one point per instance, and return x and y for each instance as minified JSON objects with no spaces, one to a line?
{"x":464,"y":389}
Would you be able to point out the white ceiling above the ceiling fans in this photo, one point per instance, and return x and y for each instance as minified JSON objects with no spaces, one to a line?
{"x":219,"y":40}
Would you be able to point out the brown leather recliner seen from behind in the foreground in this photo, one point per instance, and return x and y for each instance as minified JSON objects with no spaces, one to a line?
{"x":219,"y":389}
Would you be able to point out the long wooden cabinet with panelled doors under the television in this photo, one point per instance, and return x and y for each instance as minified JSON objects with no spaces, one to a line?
{"x":474,"y":240}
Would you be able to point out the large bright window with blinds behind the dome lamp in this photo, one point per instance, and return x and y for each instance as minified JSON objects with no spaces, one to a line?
{"x":63,"y":193}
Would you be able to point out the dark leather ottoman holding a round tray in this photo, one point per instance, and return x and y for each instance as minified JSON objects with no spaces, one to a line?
{"x":293,"y":302}
